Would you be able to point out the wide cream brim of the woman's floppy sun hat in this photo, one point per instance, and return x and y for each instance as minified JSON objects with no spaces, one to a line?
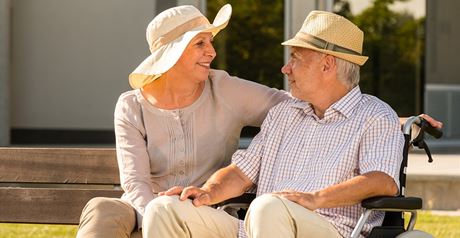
{"x":165,"y":57}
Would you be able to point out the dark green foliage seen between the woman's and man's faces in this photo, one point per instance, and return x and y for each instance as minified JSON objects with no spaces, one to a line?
{"x":250,"y":46}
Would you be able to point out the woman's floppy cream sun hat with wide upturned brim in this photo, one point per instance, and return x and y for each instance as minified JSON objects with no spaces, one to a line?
{"x":168,"y":34}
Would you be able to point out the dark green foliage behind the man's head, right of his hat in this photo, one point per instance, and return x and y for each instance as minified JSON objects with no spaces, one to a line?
{"x":394,"y":42}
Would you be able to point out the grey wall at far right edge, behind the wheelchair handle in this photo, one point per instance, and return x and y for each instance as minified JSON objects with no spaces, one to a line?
{"x":442,"y":89}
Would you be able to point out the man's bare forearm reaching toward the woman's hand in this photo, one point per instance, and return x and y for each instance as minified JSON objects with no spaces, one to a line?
{"x":227,"y":183}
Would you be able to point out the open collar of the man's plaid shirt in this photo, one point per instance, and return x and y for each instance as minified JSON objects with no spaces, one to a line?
{"x":344,"y":106}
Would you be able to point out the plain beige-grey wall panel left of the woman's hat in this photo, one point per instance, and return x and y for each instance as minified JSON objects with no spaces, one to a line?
{"x":71,"y":60}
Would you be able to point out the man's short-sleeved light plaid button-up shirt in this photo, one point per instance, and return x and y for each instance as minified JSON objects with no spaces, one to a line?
{"x":298,"y":151}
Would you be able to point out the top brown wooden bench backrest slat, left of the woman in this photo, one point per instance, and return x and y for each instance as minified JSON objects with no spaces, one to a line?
{"x":59,"y":165}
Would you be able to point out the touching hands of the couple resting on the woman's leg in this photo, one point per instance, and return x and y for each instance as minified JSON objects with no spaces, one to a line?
{"x":197,"y":195}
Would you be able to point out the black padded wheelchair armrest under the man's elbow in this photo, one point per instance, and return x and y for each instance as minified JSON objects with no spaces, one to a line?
{"x":397,"y":203}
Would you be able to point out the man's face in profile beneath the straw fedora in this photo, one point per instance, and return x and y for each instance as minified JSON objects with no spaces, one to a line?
{"x":304,"y":72}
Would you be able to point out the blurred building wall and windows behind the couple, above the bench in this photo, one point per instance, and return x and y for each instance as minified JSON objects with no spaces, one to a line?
{"x":63,"y":63}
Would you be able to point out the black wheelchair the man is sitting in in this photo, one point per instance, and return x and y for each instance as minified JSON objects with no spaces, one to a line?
{"x":393,"y":206}
